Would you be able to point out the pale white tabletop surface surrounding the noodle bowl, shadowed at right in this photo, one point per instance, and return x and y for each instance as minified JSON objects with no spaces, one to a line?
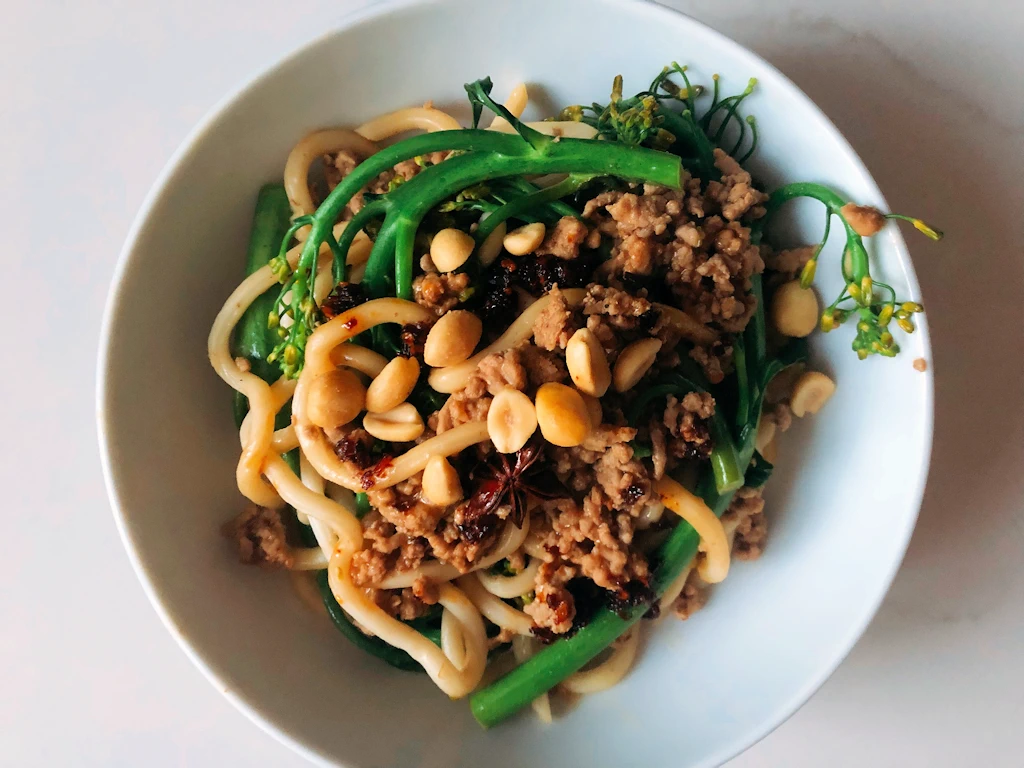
{"x":96,"y":97}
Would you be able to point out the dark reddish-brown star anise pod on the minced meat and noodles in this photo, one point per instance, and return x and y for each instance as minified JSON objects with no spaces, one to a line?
{"x":511,"y":481}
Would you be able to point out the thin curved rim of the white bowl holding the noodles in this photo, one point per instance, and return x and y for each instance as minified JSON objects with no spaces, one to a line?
{"x":126,"y":260}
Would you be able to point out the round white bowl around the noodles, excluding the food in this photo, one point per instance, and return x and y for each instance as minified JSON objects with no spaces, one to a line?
{"x":841,"y":509}
